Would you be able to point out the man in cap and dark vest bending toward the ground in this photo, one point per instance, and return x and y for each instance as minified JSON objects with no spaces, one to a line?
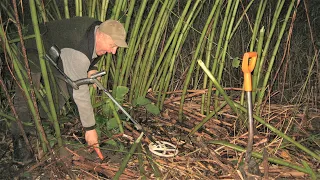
{"x":81,"y":41}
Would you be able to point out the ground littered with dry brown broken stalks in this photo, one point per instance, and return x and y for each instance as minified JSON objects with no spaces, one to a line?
{"x":198,"y":158}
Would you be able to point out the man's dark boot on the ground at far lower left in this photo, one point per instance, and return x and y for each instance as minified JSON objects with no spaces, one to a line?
{"x":21,"y":154}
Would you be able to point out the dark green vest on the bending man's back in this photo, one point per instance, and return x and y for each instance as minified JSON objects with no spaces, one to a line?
{"x":75,"y":33}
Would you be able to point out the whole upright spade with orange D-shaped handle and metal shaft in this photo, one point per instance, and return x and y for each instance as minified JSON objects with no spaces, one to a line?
{"x":247,"y":68}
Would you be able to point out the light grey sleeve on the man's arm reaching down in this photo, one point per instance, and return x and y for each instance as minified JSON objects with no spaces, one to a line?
{"x":76,"y":65}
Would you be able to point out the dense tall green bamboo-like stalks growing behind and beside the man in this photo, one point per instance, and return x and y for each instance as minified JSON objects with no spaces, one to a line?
{"x":166,"y":39}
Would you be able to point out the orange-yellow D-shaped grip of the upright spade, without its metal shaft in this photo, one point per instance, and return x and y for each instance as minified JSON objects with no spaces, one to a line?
{"x":247,"y":68}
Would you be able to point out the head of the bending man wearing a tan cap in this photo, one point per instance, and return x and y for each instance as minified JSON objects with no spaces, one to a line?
{"x":109,"y":36}
